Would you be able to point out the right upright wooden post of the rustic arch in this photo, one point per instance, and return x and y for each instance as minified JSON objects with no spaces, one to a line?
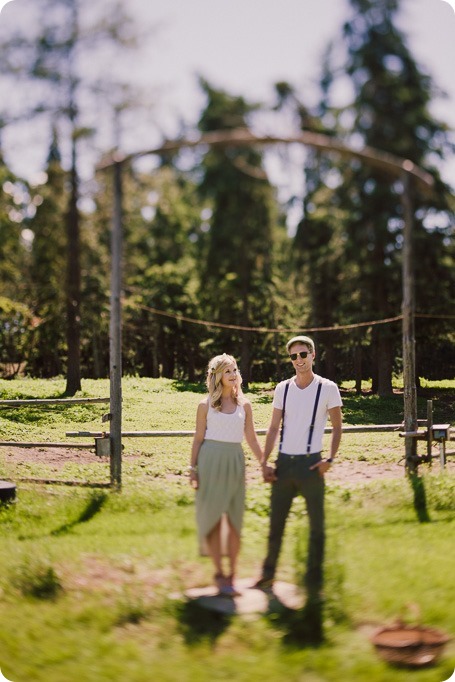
{"x":410,"y":391}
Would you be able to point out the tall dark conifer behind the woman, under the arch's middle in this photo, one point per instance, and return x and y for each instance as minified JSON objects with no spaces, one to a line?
{"x":236,"y":279}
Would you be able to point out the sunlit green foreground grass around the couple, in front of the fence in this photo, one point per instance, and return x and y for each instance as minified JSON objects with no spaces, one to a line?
{"x":117,"y":566}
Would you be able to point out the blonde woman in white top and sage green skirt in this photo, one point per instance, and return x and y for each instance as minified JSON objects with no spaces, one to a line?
{"x":217,"y":468}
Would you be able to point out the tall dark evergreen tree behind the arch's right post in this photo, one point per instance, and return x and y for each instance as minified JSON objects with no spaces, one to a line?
{"x":353,"y":218}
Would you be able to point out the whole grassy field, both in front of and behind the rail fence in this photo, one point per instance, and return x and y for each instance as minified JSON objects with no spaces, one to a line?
{"x":88,"y":578}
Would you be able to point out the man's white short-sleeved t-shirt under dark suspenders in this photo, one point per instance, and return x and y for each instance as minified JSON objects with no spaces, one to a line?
{"x":299,"y":410}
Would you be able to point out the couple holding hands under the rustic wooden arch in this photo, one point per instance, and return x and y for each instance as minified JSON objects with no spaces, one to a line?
{"x":301,"y":406}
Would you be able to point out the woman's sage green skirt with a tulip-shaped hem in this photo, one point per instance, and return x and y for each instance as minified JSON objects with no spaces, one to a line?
{"x":221,"y":491}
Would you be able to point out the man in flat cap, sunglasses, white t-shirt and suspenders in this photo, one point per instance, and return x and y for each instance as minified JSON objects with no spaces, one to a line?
{"x":301,"y":406}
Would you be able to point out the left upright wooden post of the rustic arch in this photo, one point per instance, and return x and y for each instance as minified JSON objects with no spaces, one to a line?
{"x":115,"y":333}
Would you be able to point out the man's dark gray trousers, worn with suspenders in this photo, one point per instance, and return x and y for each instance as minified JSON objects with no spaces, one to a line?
{"x":293,"y":478}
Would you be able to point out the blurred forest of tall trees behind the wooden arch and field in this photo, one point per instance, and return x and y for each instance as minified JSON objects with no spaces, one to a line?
{"x":206,"y":232}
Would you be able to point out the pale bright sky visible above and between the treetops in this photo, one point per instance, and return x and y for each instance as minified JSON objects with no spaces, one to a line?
{"x":244,"y":46}
